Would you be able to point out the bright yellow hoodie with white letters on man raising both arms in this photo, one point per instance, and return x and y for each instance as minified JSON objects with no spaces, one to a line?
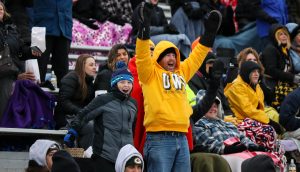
{"x":165,"y":98}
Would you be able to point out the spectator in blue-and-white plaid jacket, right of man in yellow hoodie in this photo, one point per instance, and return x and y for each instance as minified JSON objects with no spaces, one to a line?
{"x":212,"y":133}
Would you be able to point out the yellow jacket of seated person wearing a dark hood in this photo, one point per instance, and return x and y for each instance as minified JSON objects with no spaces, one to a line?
{"x":246,"y":102}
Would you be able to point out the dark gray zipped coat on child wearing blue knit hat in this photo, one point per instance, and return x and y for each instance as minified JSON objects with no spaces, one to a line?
{"x":113,"y":114}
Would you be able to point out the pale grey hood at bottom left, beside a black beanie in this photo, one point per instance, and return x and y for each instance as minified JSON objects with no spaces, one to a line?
{"x":38,"y":151}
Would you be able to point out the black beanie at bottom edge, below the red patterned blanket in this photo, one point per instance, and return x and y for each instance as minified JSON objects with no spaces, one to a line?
{"x":259,"y":163}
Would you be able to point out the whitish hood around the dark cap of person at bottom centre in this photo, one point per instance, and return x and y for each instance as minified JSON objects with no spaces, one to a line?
{"x":124,"y":155}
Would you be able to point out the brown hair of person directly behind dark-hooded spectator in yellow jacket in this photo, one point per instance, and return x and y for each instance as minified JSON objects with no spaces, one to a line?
{"x":242,"y":56}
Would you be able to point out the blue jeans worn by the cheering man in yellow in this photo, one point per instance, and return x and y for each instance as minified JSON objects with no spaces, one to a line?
{"x":167,"y":153}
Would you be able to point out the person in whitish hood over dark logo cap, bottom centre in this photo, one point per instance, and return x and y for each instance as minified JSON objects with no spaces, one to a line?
{"x":129,"y":160}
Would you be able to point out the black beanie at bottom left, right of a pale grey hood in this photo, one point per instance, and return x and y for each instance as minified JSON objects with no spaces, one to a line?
{"x":63,"y":161}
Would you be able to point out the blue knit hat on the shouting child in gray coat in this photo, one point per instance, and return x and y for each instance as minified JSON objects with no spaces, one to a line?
{"x":121,"y":73}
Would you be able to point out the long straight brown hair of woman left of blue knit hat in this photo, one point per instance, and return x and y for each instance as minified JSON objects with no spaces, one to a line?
{"x":80,"y":70}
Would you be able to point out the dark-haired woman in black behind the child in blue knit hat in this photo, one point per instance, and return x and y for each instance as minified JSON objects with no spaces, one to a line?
{"x":117,"y":53}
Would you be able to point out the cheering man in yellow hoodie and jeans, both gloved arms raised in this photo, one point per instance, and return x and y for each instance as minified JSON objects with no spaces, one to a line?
{"x":164,"y":79}
